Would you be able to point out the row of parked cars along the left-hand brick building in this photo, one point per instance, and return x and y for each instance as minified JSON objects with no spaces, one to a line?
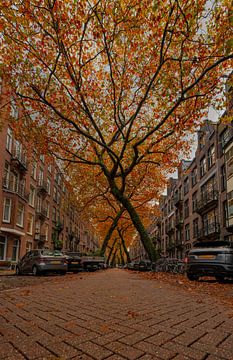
{"x":41,"y":261}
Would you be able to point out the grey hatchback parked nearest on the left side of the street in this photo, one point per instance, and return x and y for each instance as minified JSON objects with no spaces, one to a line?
{"x":41,"y":261}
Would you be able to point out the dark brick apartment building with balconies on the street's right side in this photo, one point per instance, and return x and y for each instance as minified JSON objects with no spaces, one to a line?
{"x":198,"y":205}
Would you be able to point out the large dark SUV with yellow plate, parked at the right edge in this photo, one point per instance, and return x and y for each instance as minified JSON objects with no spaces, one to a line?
{"x":213,"y":258}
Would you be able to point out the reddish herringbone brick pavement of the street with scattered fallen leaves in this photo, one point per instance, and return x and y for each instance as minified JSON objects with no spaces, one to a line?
{"x":112,"y":314}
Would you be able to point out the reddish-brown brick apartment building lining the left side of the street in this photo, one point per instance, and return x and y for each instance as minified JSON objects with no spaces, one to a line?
{"x":37,"y":207}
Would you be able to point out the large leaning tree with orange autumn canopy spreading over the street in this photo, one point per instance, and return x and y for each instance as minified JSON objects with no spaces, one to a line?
{"x":115,"y":85}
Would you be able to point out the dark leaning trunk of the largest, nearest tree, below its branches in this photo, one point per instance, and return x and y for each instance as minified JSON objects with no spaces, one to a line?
{"x":145,"y":238}
